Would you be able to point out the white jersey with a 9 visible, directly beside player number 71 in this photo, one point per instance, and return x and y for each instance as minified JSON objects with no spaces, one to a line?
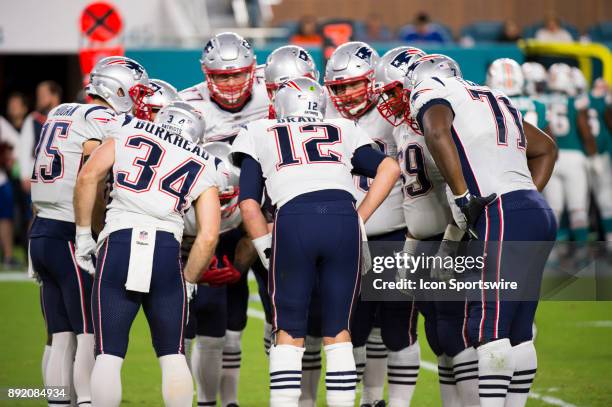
{"x":425,"y":204}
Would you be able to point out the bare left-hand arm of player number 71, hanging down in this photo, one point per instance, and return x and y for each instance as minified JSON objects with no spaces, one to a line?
{"x":437,"y":124}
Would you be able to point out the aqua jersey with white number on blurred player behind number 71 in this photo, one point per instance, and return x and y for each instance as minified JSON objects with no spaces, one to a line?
{"x":563,"y":114}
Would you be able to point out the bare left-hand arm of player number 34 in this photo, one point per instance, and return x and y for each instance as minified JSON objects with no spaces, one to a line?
{"x":93,"y":172}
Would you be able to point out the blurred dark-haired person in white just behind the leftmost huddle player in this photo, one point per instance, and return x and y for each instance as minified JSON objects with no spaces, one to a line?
{"x":48,"y":96}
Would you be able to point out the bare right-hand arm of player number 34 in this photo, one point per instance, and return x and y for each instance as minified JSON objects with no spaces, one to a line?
{"x":208,"y":219}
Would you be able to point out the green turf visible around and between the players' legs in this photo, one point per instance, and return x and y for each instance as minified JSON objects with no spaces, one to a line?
{"x":574,"y":349}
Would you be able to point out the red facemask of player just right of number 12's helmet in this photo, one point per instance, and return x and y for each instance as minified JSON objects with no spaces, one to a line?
{"x":352,"y":97}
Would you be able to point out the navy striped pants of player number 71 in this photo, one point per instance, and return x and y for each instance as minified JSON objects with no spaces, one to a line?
{"x":514,"y":217}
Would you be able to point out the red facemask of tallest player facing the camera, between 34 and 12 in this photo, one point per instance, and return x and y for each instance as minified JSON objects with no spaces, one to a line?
{"x":230,"y":88}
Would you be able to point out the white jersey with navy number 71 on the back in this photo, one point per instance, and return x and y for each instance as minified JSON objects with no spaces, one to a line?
{"x":487,"y":130}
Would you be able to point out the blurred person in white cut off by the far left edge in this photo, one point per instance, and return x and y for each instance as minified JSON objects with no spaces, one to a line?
{"x":9,"y":140}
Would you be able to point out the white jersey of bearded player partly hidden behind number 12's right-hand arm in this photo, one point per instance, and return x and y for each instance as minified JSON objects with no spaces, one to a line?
{"x":389,"y":215}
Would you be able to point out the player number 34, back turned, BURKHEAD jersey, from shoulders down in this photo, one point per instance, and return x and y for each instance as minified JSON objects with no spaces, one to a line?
{"x":157,"y":174}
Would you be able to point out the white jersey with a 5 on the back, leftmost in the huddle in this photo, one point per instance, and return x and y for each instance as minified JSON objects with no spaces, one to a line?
{"x":59,"y":155}
